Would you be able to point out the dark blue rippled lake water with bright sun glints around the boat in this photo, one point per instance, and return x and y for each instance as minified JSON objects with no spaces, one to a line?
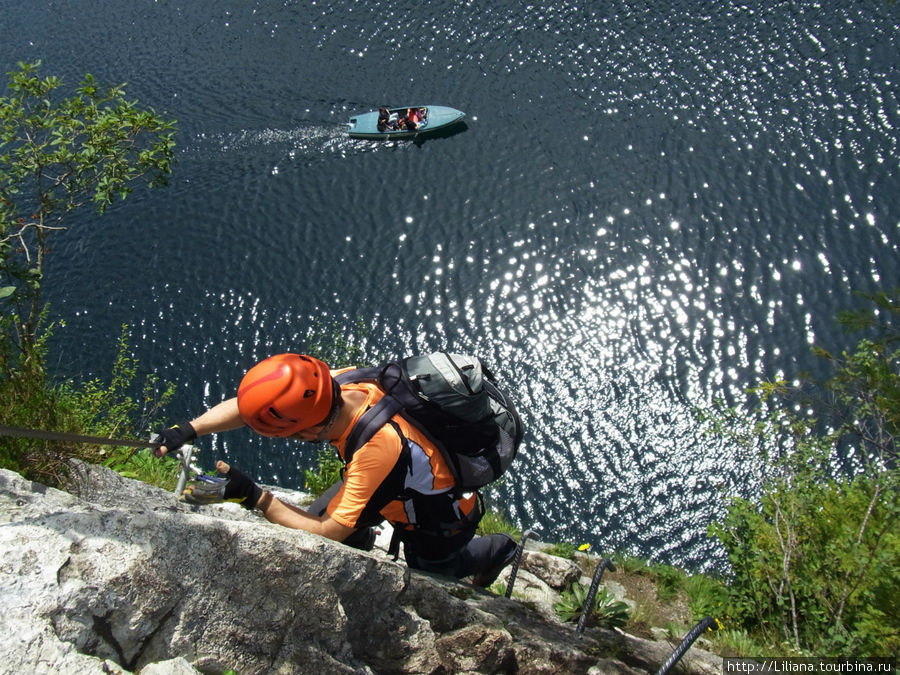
{"x":652,"y":205}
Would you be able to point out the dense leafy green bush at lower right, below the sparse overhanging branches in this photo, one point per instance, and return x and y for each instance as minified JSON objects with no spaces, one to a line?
{"x":816,"y":567}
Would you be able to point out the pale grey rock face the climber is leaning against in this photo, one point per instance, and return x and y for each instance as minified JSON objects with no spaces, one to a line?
{"x":120,"y":577}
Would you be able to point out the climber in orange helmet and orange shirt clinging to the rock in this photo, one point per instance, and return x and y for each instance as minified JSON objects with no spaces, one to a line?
{"x":295,"y":396}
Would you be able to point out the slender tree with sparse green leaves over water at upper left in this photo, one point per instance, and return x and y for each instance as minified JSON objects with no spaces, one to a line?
{"x":58,"y":154}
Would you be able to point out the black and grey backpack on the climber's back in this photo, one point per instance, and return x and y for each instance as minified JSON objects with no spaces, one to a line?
{"x":454,"y":401}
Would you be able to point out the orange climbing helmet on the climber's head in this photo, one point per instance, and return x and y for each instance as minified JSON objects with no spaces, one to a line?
{"x":286,"y":393}
